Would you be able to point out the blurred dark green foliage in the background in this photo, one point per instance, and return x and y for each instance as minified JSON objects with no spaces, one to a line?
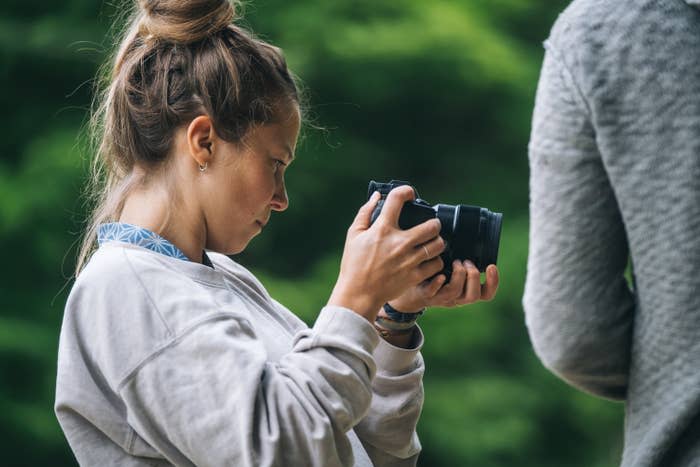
{"x":439,"y":93}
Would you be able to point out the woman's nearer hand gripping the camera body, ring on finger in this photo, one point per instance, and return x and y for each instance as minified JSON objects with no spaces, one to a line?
{"x":382,"y":261}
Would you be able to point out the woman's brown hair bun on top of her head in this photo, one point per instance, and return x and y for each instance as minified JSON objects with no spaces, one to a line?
{"x":185,"y":21}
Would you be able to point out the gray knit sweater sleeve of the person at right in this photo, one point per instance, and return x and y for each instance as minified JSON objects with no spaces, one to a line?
{"x":578,"y":306}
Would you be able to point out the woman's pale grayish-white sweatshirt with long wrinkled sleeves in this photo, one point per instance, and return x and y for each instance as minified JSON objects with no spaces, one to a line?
{"x":164,"y":361}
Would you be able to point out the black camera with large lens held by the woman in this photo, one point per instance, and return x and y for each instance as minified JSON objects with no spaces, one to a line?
{"x":469,"y":232}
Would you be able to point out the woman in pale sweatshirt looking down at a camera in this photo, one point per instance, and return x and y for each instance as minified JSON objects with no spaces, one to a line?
{"x":170,"y":352}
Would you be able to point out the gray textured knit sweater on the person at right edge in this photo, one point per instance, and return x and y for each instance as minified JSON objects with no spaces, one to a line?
{"x":615,"y":174}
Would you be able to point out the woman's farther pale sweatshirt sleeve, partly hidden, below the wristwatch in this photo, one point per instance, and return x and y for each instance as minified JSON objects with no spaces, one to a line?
{"x":388,"y":431}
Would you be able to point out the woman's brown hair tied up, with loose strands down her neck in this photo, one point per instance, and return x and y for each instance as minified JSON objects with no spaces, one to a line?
{"x":175,"y":60}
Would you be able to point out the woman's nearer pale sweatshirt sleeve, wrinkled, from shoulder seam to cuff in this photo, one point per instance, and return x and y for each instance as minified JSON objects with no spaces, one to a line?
{"x":212,"y":398}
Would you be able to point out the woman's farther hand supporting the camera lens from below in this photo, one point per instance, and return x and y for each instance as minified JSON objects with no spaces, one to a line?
{"x":465,"y":287}
